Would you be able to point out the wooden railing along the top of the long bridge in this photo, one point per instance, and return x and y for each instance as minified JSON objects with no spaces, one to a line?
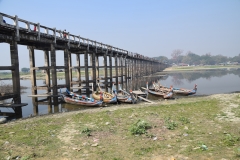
{"x":42,"y":30}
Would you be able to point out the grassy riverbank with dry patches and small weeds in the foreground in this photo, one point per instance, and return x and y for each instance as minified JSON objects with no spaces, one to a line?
{"x":187,"y":128}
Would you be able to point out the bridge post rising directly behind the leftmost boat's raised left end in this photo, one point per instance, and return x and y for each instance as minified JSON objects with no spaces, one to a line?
{"x":66,"y":69}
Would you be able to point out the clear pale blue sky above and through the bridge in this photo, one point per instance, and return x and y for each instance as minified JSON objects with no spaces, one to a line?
{"x":149,"y":27}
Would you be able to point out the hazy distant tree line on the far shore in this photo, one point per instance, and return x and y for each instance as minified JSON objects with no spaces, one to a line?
{"x":193,"y":59}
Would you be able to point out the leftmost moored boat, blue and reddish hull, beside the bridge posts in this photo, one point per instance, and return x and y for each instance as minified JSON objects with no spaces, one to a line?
{"x":82,"y":100}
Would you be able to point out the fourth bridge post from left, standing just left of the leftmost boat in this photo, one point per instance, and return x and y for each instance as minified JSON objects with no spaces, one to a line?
{"x":54,"y":73}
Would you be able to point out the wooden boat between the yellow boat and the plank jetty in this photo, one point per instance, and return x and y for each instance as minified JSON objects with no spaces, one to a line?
{"x":125,"y":97}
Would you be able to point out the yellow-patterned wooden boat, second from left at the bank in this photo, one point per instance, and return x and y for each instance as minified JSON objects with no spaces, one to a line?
{"x":104,"y":96}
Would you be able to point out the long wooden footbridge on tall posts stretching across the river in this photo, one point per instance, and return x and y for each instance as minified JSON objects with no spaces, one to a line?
{"x":127,"y":65}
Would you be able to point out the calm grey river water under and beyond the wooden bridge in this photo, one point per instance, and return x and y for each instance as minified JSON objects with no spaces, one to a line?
{"x":209,"y":82}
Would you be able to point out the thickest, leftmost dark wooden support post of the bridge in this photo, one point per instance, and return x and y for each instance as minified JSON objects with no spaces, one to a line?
{"x":15,"y":76}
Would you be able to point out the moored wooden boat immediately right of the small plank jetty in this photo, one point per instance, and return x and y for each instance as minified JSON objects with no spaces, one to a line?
{"x":166,"y":94}
